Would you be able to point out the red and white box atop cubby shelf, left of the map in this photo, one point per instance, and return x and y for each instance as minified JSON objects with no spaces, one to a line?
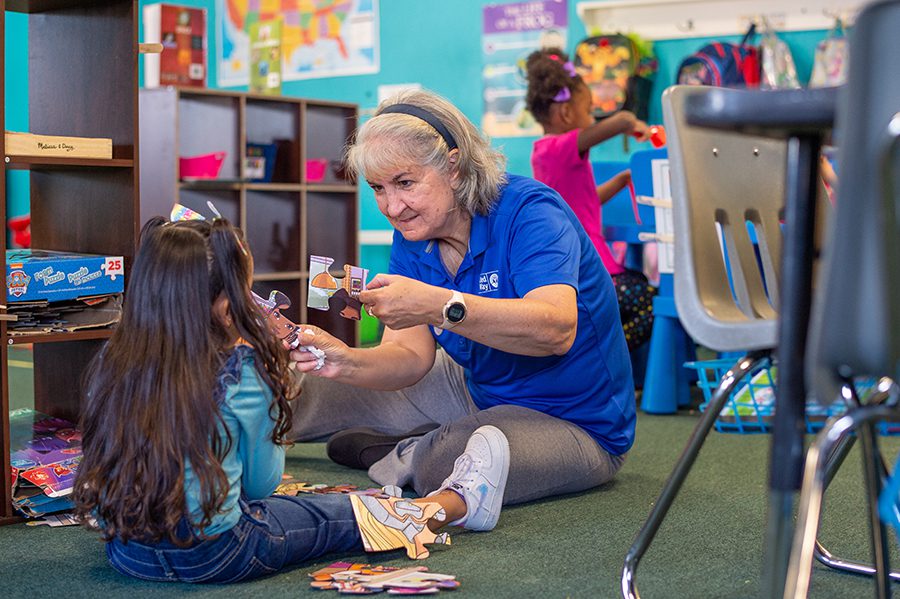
{"x":182,"y":32}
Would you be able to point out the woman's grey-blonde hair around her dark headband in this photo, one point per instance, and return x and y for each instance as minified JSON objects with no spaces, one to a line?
{"x":389,"y":141}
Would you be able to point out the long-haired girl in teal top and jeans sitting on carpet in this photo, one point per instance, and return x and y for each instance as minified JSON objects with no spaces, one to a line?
{"x":184,"y":421}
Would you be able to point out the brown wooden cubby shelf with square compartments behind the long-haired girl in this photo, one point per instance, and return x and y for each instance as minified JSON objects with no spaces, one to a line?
{"x":285,"y":219}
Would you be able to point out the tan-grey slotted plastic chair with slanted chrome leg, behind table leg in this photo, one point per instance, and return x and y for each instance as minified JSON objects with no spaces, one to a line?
{"x":728,"y":289}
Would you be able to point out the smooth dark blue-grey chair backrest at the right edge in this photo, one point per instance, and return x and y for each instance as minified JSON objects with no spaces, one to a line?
{"x":857,"y":325}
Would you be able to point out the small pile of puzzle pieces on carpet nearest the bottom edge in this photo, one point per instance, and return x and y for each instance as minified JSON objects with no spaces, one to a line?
{"x":363,"y":579}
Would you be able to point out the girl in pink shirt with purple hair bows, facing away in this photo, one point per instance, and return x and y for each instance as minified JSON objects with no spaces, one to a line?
{"x":561,"y":102}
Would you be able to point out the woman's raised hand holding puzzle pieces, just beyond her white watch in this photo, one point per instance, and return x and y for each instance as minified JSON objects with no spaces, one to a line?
{"x":400,"y":302}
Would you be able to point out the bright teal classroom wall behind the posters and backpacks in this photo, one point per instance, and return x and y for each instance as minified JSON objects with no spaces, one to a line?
{"x":438,"y":44}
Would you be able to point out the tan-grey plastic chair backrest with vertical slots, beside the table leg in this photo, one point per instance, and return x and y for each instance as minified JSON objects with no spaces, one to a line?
{"x":727,"y":189}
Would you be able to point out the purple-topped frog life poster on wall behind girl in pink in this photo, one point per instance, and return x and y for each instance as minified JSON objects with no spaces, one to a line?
{"x":510,"y":33}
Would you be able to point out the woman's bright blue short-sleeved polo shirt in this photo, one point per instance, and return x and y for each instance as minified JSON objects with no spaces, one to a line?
{"x":532,"y":239}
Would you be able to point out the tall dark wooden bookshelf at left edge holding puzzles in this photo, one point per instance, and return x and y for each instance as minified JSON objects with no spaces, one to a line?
{"x":82,"y":82}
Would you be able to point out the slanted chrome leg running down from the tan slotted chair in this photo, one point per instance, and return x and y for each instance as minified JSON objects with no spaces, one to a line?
{"x":683,"y":468}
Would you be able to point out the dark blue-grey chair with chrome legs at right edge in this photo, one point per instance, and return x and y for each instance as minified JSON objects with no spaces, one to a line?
{"x":856,"y":329}
